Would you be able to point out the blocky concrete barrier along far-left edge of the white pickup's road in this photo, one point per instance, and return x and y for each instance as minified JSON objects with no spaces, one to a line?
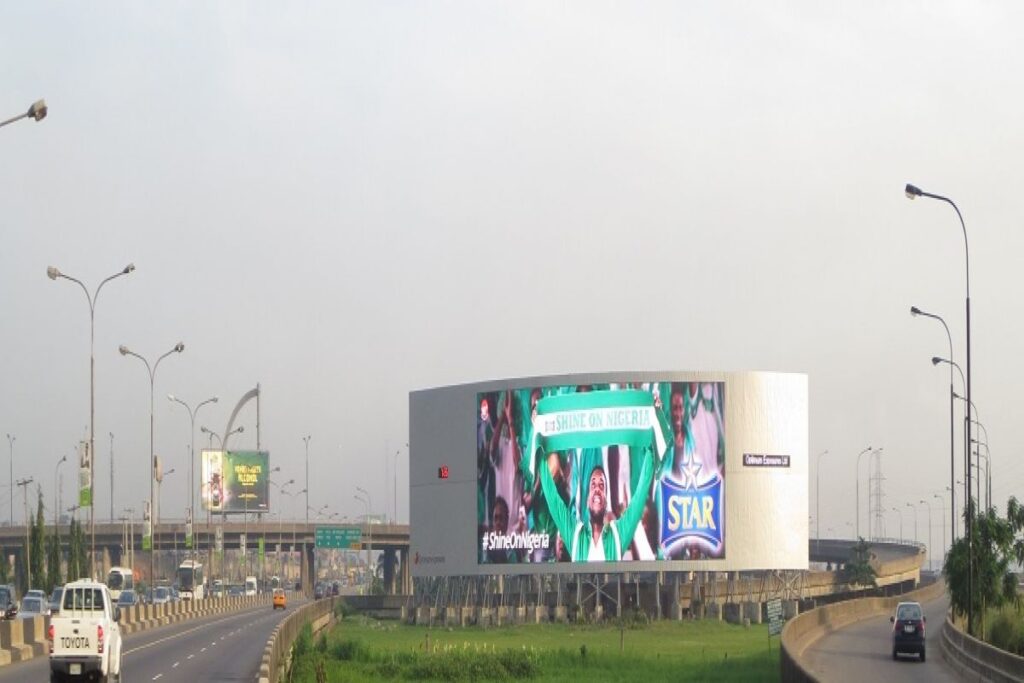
{"x":23,"y":639}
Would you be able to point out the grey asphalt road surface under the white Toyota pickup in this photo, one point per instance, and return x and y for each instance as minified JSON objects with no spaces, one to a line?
{"x":223,"y":648}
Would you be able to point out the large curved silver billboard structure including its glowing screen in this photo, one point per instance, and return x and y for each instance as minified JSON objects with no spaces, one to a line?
{"x":630,"y":472}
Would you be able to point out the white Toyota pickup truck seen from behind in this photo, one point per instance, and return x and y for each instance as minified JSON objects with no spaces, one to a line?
{"x":86,"y":637}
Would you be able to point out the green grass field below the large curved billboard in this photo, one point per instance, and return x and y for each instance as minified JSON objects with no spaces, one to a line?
{"x":362,"y":650}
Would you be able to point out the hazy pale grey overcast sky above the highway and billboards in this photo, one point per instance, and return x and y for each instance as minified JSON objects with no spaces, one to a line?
{"x":345,"y":202}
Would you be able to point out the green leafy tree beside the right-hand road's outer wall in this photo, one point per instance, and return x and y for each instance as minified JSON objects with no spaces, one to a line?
{"x":997,"y":547}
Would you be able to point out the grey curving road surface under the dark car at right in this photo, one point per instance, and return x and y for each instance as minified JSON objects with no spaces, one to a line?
{"x":863,"y":652}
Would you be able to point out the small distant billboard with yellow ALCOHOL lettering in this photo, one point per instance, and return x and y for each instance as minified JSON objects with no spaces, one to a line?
{"x":236,"y":481}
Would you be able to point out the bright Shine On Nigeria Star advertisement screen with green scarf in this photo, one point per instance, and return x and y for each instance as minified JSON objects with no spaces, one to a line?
{"x":602,"y":473}
